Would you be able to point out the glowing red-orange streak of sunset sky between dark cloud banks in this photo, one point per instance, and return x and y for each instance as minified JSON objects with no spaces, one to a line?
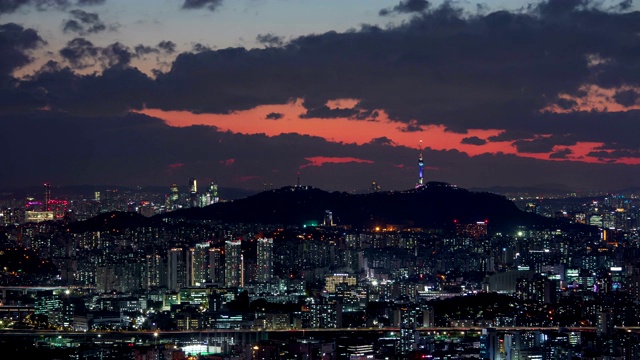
{"x":350,"y":131}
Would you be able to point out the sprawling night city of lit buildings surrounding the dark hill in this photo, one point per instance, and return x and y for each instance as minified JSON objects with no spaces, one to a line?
{"x":461,"y":290}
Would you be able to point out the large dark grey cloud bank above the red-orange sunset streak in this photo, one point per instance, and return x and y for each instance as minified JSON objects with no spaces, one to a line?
{"x":487,"y":71}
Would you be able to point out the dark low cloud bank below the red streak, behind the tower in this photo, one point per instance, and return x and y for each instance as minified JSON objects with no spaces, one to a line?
{"x":135,"y":149}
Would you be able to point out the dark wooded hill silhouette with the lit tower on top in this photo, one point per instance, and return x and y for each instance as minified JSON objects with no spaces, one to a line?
{"x":436,"y":205}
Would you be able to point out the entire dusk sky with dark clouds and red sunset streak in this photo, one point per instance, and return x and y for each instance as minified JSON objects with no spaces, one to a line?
{"x":338,"y":94}
